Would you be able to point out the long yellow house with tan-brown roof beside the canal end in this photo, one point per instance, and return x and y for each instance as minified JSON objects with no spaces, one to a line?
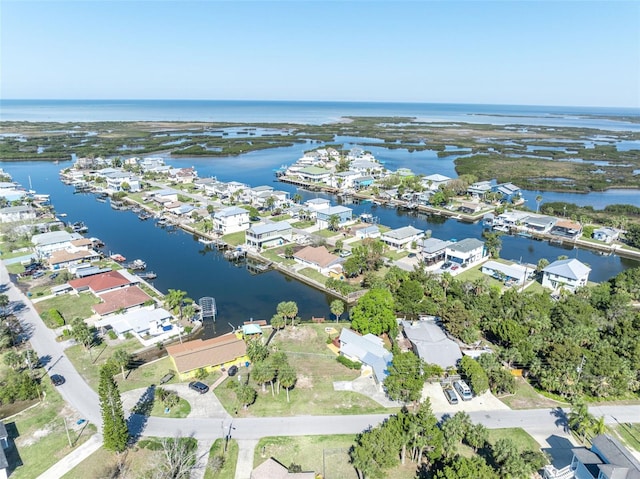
{"x":223,"y":351}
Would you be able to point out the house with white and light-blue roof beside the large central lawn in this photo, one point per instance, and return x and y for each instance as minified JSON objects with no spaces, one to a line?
{"x":368,"y":350}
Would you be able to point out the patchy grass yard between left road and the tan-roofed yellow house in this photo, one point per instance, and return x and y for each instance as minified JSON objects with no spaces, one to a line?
{"x":88,"y":363}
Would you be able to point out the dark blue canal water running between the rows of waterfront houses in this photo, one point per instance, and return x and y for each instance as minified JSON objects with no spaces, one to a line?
{"x":181,"y":262}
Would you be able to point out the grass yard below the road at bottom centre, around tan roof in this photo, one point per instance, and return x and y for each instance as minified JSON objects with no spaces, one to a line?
{"x":326,"y":455}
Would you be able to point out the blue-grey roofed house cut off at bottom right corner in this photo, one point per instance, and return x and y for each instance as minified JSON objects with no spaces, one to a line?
{"x":607,"y":459}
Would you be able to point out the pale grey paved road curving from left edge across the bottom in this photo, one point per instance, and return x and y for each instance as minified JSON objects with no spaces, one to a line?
{"x":541,"y":423}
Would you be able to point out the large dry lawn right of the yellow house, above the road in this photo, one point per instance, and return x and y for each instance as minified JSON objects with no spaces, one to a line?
{"x":316,"y":368}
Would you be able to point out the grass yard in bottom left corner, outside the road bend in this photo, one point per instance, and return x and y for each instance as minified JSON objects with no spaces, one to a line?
{"x":39,"y":435}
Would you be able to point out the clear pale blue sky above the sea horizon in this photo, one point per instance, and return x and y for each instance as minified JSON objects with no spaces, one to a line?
{"x":510,"y":52}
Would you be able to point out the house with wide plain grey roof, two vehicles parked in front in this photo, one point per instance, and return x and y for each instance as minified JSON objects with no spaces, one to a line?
{"x":430,"y":343}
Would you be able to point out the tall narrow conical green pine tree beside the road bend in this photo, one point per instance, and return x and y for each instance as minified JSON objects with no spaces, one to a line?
{"x":115,"y":432}
